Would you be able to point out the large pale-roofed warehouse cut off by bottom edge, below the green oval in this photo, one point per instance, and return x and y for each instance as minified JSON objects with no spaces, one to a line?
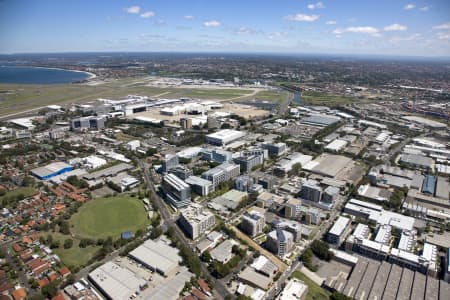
{"x":115,"y":282}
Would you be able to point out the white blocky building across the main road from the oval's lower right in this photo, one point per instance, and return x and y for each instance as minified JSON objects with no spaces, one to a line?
{"x":195,"y":220}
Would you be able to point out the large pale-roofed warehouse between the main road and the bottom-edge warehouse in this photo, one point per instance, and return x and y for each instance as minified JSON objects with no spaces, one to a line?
{"x":157,"y":256}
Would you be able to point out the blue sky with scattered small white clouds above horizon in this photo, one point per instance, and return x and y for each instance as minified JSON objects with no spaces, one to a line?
{"x":372,"y":27}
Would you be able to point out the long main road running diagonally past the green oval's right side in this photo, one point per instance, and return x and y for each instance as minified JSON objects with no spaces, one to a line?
{"x":169,"y":221}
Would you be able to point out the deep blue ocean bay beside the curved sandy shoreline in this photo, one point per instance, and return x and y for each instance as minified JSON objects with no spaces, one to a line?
{"x":34,"y":75}
